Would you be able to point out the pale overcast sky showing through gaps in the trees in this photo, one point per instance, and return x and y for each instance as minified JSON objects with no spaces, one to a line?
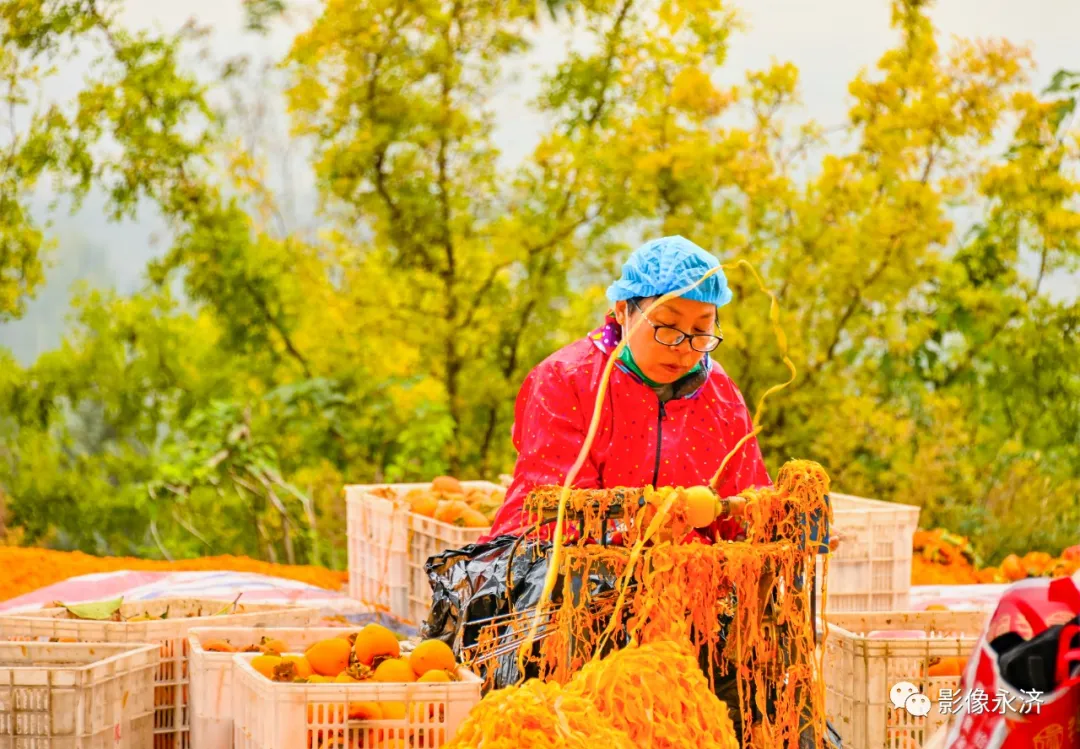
{"x":829,"y":40}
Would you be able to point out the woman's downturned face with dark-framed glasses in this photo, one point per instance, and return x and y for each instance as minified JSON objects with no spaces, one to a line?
{"x":663,"y":363}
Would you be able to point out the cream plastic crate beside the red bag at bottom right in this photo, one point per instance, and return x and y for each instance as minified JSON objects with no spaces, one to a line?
{"x":868,"y":653}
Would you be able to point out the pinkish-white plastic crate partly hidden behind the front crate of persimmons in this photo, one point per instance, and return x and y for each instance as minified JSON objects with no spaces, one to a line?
{"x":212,"y":675}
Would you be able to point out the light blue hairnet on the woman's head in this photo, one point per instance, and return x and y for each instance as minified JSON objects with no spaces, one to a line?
{"x":668,"y":265}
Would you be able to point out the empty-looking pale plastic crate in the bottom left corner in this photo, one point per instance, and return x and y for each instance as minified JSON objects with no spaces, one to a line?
{"x":77,"y":696}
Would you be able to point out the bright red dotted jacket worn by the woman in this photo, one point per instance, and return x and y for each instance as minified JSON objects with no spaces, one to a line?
{"x":639,"y":442}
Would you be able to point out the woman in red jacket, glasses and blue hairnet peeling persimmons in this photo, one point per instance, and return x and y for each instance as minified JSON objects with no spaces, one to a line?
{"x":670,"y":415}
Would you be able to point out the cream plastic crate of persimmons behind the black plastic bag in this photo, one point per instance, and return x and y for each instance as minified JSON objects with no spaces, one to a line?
{"x":389,"y":548}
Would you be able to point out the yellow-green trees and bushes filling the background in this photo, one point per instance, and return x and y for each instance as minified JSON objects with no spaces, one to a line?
{"x":934,"y":369}
